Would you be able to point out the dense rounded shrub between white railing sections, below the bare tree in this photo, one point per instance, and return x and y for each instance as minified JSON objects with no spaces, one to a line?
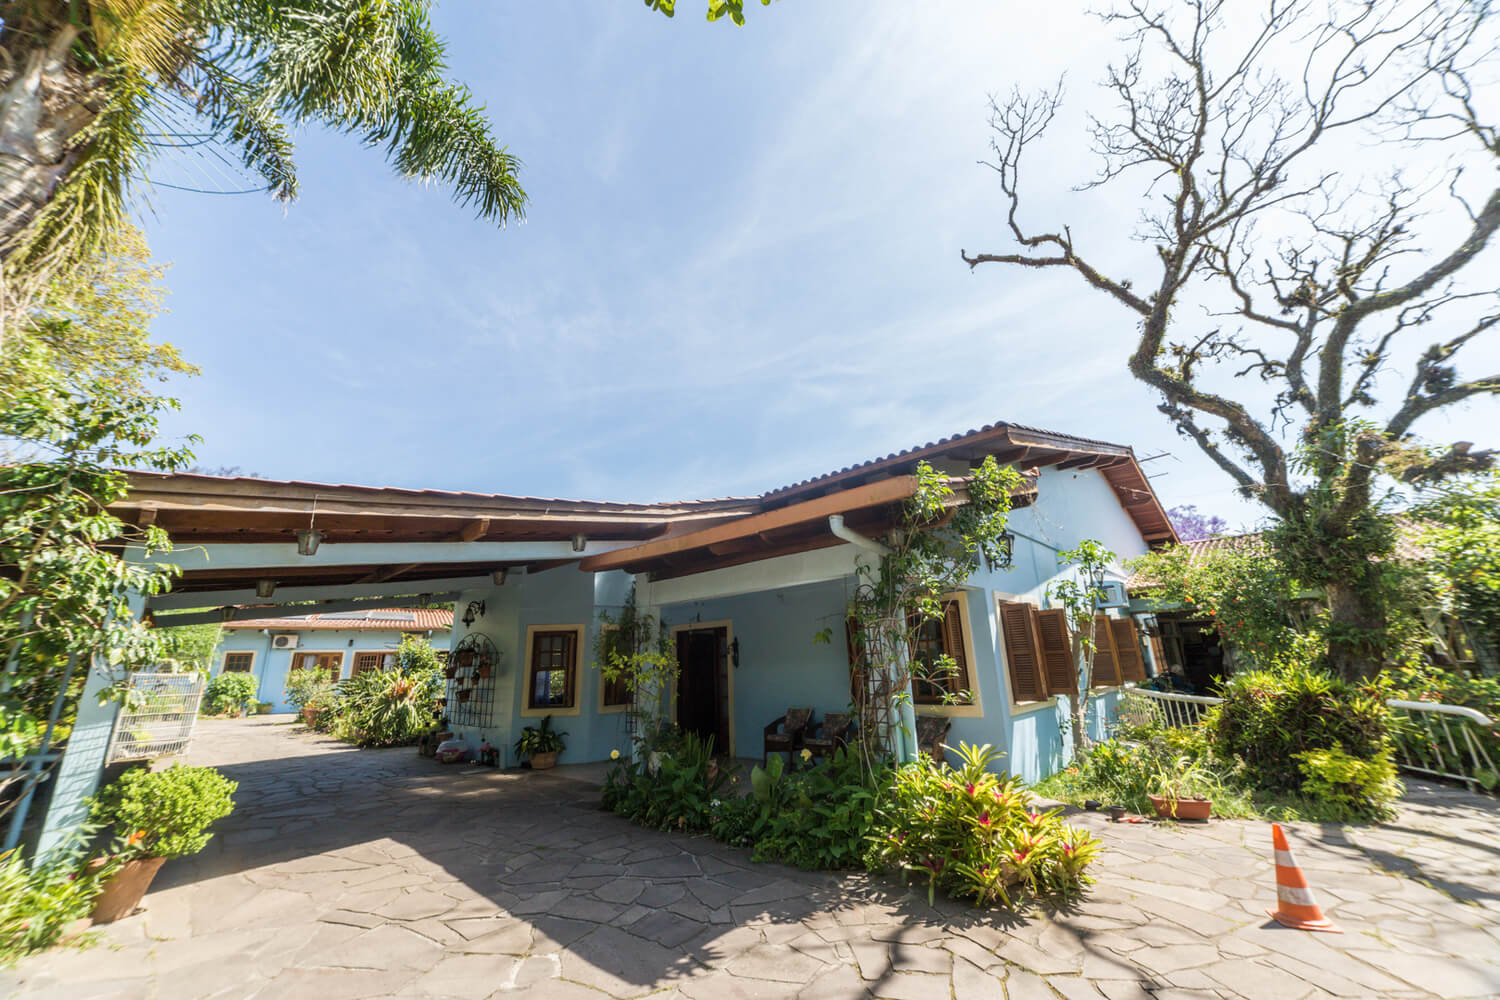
{"x":1270,"y":717}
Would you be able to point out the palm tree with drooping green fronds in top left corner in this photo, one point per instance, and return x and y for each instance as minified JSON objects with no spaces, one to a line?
{"x":91,"y":91}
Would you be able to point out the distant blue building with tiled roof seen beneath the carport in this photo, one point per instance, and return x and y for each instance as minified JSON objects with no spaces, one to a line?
{"x":343,"y":644}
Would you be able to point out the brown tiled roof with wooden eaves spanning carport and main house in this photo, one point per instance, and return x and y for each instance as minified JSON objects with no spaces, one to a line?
{"x":668,"y":537}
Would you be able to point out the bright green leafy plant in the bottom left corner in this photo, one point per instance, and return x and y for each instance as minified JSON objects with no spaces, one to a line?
{"x":38,"y":903}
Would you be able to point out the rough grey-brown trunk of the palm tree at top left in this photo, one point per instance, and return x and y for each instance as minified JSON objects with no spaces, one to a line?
{"x":46,"y":104}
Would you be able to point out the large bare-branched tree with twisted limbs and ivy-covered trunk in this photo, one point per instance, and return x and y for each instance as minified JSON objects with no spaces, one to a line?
{"x":1277,"y":289}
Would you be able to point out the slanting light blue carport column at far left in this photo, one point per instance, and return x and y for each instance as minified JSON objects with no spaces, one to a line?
{"x":83,"y":762}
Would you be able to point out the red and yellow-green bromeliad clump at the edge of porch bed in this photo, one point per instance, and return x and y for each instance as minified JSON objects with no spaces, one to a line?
{"x":977,"y":834}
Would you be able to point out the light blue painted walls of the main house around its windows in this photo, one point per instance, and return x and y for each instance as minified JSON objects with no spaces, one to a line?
{"x":781,"y":662}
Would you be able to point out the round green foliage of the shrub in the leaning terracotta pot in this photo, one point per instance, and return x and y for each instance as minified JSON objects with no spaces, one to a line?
{"x":164,"y":813}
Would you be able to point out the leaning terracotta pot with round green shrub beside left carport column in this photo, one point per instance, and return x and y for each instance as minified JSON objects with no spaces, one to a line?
{"x":155,"y":816}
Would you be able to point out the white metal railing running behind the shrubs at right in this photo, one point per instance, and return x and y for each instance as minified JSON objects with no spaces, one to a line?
{"x":1436,"y":740}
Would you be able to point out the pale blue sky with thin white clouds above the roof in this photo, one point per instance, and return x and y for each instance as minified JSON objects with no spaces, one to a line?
{"x":739,"y":269}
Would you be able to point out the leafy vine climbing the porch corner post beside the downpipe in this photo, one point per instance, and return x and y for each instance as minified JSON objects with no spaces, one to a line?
{"x":944,"y":533}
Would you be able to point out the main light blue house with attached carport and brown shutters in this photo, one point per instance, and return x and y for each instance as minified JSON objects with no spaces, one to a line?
{"x":745,"y":585}
